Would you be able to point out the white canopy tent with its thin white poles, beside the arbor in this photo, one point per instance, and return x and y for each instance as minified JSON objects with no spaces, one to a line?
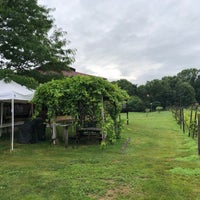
{"x":12,"y":91}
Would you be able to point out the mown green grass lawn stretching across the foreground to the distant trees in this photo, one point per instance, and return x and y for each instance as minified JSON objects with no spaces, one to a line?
{"x":159,"y":163}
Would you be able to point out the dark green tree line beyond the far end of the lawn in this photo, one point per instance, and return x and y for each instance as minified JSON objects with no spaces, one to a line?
{"x":182,"y":89}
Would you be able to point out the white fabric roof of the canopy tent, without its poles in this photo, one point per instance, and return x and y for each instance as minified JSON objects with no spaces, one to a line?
{"x":13,"y":90}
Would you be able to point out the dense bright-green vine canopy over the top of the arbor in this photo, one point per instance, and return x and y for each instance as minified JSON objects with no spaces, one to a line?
{"x":67,"y":95}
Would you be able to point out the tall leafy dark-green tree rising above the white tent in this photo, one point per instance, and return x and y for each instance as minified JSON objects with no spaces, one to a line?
{"x":25,"y":42}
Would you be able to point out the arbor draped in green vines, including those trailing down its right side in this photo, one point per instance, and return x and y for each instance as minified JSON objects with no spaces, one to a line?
{"x":90,"y":101}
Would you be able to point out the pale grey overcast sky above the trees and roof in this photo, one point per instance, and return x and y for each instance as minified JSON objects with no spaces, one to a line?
{"x":139,"y":40}
